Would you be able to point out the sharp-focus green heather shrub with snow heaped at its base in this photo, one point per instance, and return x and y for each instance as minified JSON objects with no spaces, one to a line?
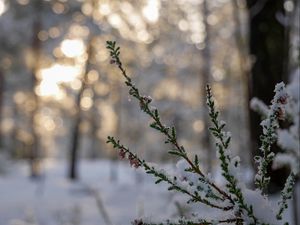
{"x":233,"y":203}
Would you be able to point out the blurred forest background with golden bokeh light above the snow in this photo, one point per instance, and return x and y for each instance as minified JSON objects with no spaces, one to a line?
{"x":60,"y":97}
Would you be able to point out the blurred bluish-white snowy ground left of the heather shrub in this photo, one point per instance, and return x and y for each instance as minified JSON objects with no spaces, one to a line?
{"x":94,"y":200}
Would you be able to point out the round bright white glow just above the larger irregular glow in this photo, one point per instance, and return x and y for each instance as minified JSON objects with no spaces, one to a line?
{"x":72,"y":48}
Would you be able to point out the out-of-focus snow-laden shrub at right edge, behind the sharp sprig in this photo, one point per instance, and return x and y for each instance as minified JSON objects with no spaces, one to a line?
{"x":288,"y":138}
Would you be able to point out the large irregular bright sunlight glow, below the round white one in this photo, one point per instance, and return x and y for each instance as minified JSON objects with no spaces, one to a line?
{"x":53,"y":76}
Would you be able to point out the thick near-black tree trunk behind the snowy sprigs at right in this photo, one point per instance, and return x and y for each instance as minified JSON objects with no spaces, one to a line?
{"x":268,"y":49}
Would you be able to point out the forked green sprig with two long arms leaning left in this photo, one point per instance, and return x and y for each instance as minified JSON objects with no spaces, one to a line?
{"x":170,"y":135}
